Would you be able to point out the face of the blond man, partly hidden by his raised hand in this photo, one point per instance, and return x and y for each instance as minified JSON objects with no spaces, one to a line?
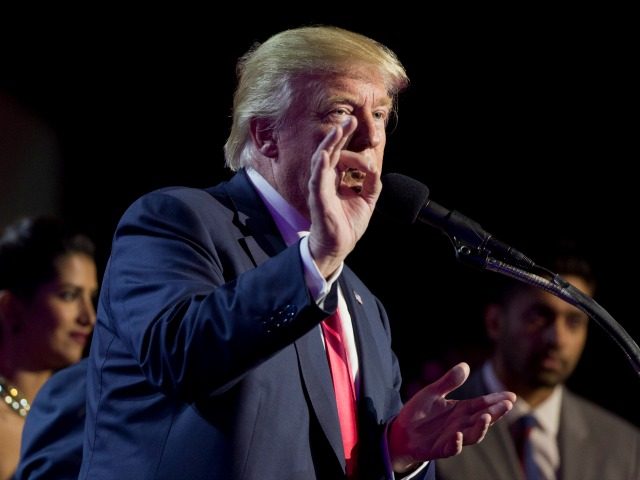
{"x":320,"y":103}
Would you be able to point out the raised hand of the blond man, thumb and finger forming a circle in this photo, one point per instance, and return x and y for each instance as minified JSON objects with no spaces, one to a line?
{"x":339,"y":214}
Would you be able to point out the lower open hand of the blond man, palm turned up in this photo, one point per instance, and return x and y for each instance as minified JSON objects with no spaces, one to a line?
{"x":431,"y":426}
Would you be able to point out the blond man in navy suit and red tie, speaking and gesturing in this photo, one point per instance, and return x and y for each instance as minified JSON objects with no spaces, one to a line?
{"x":208,"y":360}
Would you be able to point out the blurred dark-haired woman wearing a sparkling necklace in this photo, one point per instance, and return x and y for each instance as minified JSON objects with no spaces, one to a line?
{"x":48,"y":283}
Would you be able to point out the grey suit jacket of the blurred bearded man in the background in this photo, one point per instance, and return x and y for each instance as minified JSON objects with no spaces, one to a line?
{"x":594,"y":445}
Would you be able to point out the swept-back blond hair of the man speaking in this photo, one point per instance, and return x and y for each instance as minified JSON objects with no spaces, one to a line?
{"x":265,"y":72}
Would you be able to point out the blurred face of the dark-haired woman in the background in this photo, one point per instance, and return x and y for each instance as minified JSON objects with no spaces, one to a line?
{"x":59,"y":319}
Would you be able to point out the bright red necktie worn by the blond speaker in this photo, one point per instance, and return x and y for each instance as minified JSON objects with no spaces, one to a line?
{"x":343,"y":386}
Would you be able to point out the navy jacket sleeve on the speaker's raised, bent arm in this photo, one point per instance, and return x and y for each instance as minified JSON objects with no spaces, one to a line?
{"x":179,"y":294}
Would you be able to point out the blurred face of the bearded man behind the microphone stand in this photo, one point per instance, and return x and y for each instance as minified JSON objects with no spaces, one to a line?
{"x":539,"y":337}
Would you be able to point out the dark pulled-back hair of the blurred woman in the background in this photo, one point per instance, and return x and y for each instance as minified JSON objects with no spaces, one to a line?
{"x":29,"y":249}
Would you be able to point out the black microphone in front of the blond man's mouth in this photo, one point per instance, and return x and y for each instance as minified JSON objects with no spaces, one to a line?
{"x":407,"y":200}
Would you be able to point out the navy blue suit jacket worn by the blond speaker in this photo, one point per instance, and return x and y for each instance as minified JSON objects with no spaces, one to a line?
{"x":207,"y":360}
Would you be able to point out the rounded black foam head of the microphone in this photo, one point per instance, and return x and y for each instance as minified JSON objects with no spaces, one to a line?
{"x":402,"y":197}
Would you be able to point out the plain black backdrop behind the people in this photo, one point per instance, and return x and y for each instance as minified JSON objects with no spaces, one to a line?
{"x":524,"y":121}
